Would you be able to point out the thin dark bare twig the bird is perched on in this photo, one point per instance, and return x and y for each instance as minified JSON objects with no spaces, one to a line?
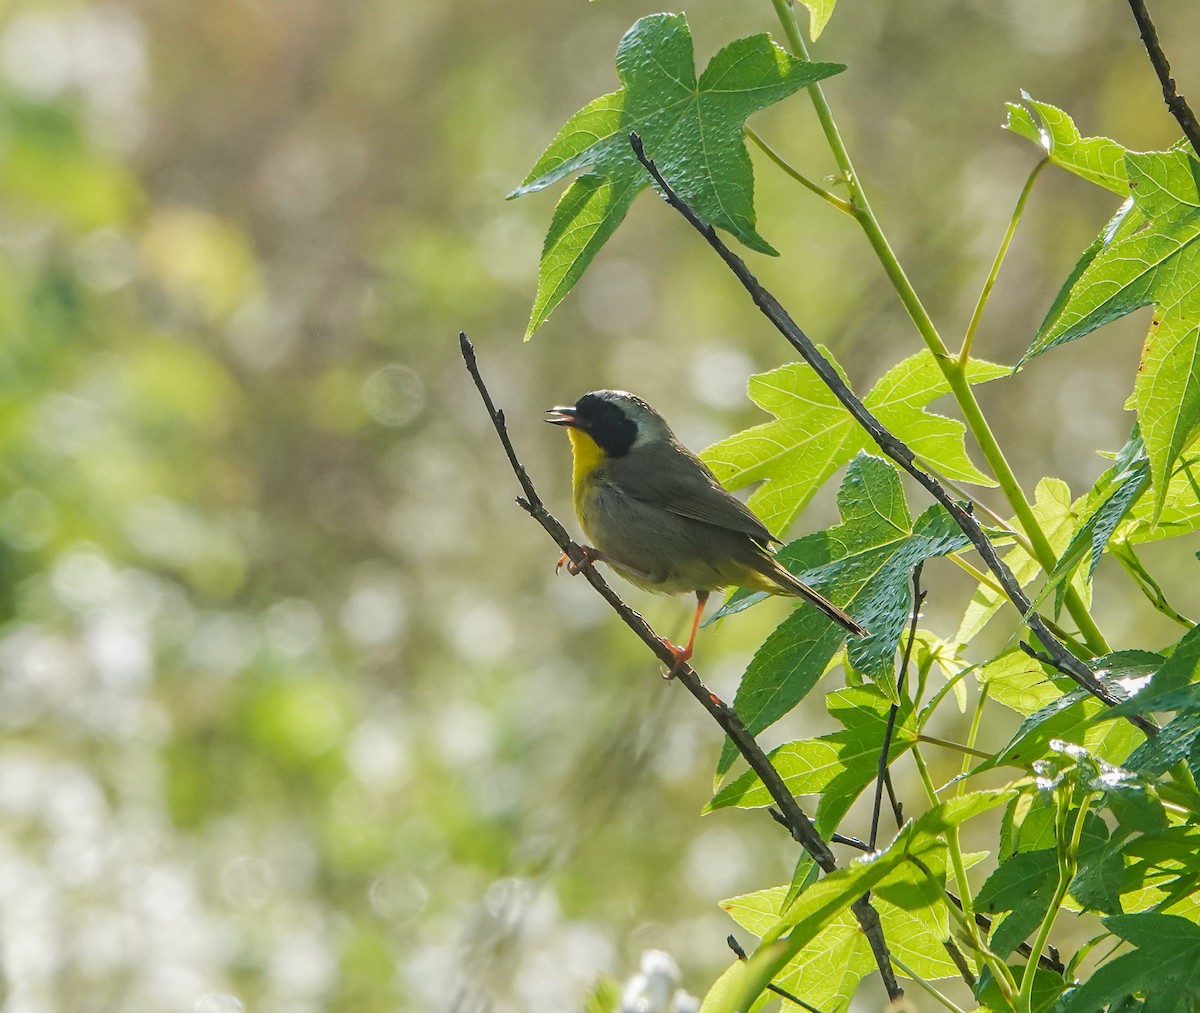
{"x":794,"y":818}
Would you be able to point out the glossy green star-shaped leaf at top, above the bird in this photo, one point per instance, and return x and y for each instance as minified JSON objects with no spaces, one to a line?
{"x":692,"y":129}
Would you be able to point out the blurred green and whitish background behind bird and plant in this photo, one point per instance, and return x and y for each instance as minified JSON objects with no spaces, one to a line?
{"x":296,"y":712}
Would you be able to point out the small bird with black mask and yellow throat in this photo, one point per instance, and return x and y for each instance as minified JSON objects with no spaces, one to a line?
{"x":658,"y":516}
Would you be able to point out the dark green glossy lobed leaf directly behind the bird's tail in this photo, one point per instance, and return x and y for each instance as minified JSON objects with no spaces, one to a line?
{"x":862,"y":565}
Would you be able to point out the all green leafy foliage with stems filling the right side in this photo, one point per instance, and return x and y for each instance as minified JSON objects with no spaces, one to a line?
{"x":1099,"y":818}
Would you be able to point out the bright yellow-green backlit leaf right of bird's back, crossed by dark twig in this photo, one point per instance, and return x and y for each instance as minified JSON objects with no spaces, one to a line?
{"x":814,"y":435}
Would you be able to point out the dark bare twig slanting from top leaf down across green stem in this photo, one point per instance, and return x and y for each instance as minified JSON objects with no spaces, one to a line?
{"x":892,"y":446}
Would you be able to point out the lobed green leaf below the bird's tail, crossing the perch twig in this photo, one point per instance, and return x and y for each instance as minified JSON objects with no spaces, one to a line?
{"x":838,"y":766}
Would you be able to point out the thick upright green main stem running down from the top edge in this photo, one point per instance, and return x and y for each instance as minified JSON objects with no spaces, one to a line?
{"x":950,"y":365}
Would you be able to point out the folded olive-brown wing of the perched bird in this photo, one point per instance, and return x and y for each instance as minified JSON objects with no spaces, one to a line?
{"x":671,"y":477}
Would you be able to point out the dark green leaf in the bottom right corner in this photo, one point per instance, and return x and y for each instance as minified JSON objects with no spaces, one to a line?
{"x":1165,"y":968}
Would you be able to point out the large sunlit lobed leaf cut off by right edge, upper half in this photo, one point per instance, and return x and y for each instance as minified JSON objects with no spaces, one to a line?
{"x":1148,"y":256}
